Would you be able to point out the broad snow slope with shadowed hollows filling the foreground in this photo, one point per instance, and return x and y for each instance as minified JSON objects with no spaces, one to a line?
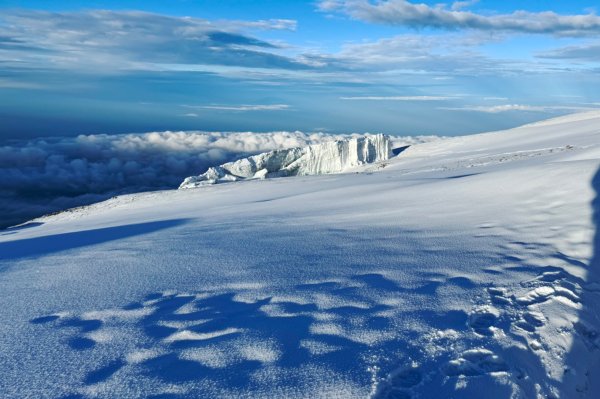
{"x":463,"y":268}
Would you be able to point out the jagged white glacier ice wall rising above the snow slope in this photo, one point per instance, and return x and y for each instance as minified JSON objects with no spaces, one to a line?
{"x":317,"y":159}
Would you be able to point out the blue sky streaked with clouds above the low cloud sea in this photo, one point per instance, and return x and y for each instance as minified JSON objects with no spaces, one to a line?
{"x":394,"y":66}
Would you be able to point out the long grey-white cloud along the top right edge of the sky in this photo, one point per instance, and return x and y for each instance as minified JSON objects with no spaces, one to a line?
{"x":406,"y":13}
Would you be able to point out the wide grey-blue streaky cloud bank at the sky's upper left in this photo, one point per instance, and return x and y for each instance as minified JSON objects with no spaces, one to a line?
{"x":107,"y":41}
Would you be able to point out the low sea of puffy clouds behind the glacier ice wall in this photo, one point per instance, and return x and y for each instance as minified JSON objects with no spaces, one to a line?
{"x":47,"y":175}
